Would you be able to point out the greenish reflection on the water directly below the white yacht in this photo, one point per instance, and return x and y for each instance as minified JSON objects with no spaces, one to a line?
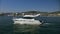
{"x":26,"y":29}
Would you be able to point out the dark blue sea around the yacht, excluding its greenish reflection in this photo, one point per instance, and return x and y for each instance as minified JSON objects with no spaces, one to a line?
{"x":51,"y":26}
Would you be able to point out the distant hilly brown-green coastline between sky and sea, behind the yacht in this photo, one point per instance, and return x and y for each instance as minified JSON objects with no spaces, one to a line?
{"x":56,"y":13}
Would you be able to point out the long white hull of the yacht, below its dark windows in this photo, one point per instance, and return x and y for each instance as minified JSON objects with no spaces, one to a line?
{"x":27,"y":21}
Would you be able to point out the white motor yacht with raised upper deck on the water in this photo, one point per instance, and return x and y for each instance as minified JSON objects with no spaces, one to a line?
{"x":27,"y":19}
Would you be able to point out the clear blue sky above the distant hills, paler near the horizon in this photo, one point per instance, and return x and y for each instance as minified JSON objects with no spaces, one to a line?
{"x":26,"y":5}
